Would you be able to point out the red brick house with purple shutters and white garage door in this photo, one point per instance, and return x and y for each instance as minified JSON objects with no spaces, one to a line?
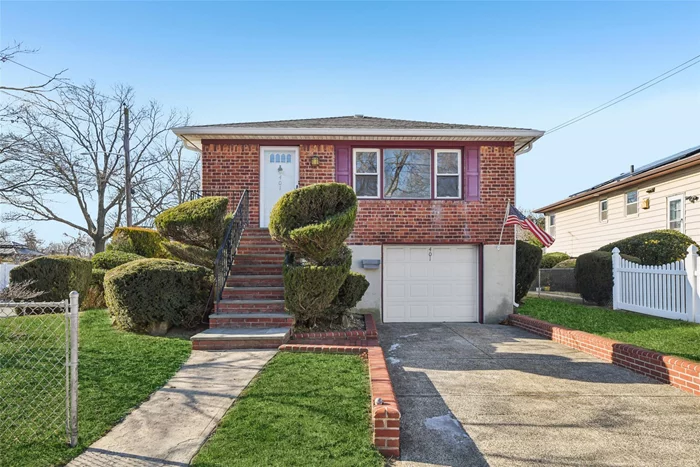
{"x":431,"y":201}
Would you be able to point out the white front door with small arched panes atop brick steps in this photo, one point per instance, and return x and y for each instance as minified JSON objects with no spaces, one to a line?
{"x":279,"y":173}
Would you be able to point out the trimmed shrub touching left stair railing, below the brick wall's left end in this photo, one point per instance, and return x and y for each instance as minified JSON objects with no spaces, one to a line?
{"x":199,"y":222}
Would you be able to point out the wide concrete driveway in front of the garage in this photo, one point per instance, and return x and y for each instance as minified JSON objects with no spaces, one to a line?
{"x":473,"y":395}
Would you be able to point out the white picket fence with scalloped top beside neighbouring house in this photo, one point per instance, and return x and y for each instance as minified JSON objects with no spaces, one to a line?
{"x":668,"y":291}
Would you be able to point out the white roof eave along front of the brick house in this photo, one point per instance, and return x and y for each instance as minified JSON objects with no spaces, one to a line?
{"x":190,"y":134}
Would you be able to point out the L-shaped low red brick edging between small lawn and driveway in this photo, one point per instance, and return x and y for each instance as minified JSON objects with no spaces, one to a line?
{"x":385,"y":417}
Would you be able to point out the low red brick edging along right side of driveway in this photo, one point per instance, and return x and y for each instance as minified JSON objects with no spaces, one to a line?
{"x":678,"y":372}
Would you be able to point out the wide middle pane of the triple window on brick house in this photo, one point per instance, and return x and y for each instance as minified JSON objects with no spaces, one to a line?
{"x":407,"y":173}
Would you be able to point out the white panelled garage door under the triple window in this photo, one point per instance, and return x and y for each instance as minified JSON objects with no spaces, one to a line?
{"x":430,"y":283}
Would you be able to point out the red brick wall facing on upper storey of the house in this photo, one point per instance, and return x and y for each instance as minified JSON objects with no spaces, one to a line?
{"x":234,"y":167}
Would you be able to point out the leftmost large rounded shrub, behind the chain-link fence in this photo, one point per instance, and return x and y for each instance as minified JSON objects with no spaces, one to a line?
{"x":56,"y":276}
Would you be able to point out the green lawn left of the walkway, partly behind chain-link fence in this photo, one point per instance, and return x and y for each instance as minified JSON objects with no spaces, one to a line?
{"x":117,"y":371}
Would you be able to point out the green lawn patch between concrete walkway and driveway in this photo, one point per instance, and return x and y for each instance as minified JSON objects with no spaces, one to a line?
{"x":302,"y":410}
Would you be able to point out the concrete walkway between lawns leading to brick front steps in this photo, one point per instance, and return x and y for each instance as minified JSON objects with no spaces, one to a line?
{"x":169,"y":428}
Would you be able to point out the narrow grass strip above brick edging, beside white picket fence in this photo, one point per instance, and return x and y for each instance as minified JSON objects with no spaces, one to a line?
{"x":663,"y":335}
